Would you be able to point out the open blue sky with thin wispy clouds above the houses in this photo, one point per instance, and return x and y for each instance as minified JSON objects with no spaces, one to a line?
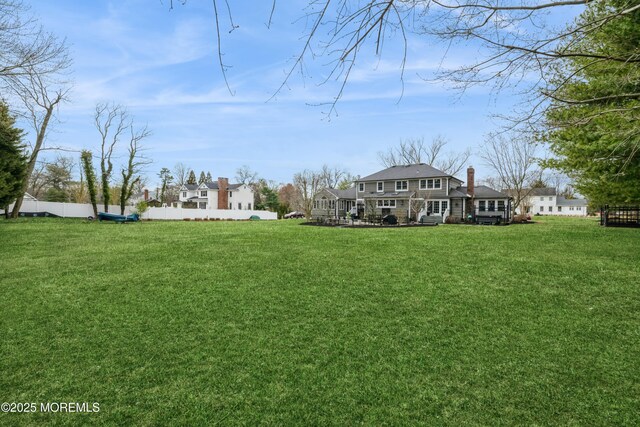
{"x":162,"y":65}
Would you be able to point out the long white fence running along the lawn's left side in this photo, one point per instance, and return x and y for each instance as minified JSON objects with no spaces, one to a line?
{"x":79,"y":210}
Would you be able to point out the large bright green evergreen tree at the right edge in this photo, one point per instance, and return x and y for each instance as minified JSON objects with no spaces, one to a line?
{"x":593,"y":121}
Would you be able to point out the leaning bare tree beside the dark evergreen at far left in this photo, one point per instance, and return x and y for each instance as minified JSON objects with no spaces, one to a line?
{"x":40,"y":96}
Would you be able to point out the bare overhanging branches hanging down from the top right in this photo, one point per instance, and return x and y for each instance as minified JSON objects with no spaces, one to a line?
{"x":516,"y":42}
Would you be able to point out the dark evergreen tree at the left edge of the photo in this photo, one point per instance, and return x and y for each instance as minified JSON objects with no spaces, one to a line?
{"x":13,"y":163}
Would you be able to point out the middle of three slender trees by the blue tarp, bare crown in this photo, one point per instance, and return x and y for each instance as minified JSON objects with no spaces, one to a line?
{"x":111,"y":121}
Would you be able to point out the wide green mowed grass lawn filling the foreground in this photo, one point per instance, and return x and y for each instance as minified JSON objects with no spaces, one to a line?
{"x":225,"y":323}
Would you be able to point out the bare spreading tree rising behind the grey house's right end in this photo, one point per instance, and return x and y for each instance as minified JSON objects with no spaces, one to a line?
{"x":514,"y":162}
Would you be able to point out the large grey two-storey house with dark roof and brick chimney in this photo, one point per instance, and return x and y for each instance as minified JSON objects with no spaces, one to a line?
{"x":414,"y":191}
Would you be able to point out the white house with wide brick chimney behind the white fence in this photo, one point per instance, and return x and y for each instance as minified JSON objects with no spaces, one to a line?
{"x":216,"y":195}
